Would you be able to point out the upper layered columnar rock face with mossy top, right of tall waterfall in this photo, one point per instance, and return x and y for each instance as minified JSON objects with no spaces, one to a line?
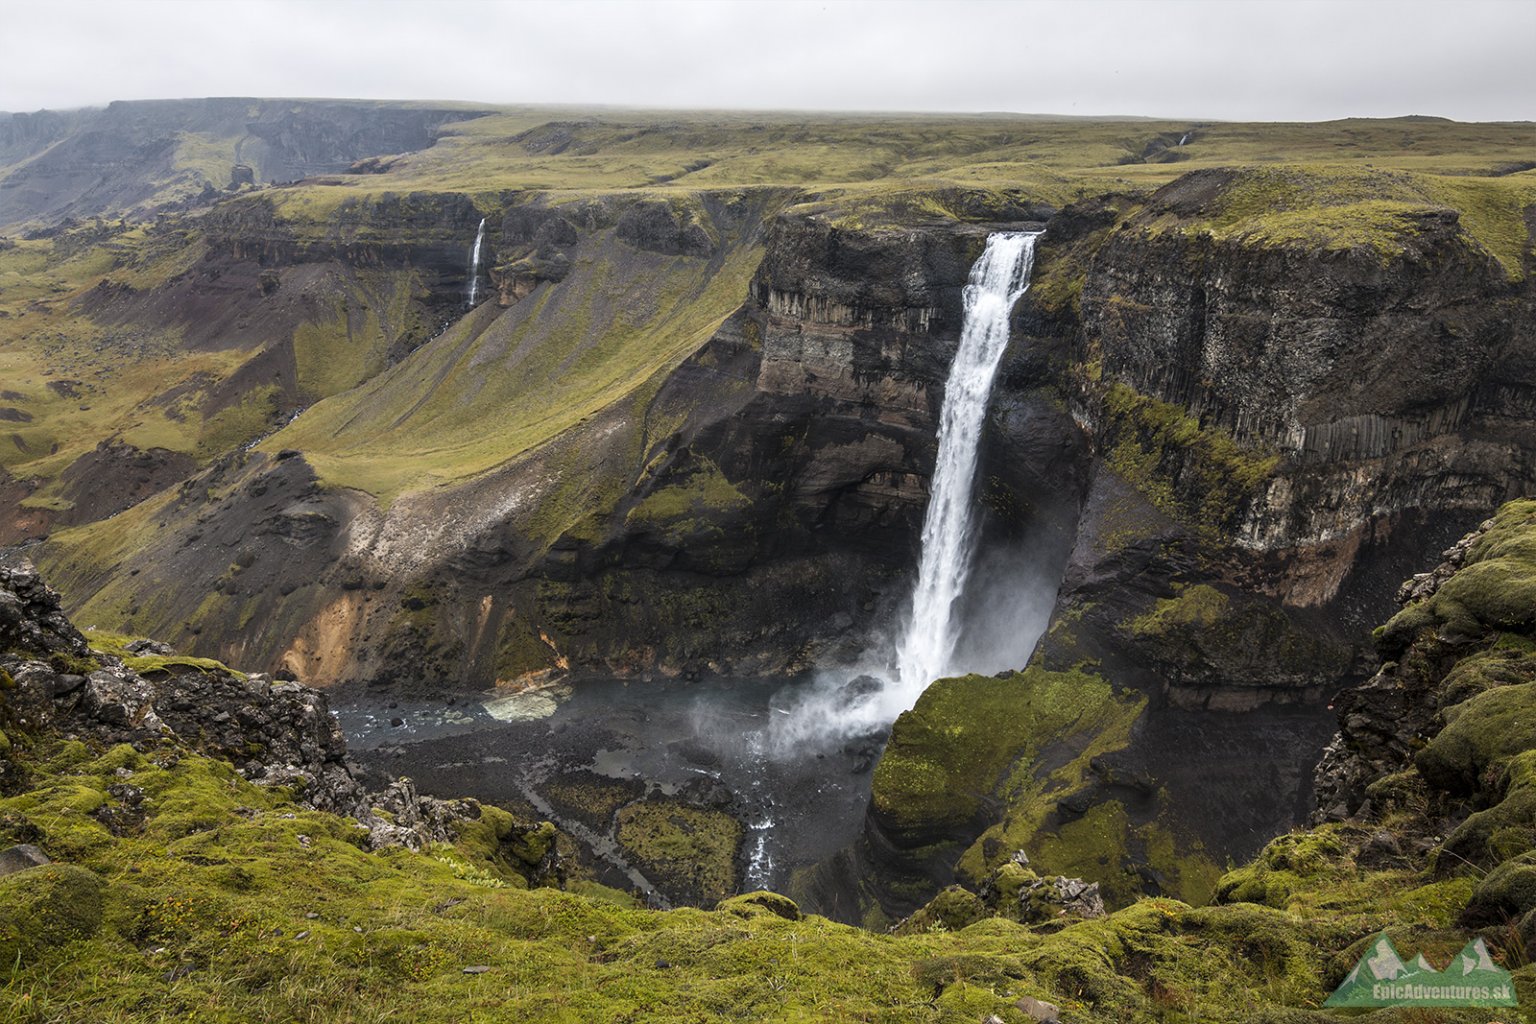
{"x":1319,"y":417}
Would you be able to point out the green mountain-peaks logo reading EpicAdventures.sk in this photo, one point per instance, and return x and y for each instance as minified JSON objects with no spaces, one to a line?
{"x":1382,"y":979}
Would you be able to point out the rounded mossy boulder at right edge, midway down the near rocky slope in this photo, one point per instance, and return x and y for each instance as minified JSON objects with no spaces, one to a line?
{"x":1480,"y":733}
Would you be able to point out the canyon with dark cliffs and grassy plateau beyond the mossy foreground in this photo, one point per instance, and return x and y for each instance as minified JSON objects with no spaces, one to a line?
{"x":428,"y":405}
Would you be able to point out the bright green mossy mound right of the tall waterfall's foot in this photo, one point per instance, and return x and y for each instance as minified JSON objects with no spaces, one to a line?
{"x":1001,"y":756}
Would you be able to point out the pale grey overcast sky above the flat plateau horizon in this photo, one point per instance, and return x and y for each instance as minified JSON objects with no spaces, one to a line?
{"x":1188,"y":59}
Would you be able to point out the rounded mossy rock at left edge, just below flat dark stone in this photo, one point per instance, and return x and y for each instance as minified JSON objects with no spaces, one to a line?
{"x":45,"y":908}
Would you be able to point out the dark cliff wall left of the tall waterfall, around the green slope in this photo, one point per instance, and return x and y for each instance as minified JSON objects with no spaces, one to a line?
{"x":767,"y":492}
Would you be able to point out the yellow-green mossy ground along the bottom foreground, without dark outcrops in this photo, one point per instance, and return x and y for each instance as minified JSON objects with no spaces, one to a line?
{"x":234,"y":903}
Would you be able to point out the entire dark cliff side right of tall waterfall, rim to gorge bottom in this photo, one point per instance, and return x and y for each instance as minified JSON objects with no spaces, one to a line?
{"x":1282,"y":432}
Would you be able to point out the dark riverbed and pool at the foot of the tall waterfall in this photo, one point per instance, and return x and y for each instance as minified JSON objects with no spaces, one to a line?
{"x":646,"y":776}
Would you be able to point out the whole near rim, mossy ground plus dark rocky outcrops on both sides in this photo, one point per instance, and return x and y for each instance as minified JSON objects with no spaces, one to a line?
{"x":157,"y":865}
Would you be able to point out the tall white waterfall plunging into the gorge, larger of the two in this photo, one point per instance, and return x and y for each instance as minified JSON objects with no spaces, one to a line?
{"x":998,"y":282}
